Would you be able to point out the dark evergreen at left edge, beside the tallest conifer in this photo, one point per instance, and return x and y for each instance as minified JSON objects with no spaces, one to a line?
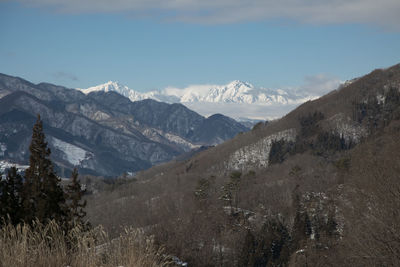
{"x":10,"y":197}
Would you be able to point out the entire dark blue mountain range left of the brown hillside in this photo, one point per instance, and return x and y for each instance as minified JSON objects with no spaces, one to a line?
{"x":102,"y":133}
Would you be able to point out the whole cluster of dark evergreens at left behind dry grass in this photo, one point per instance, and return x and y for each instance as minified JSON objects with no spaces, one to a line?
{"x":37,"y":195}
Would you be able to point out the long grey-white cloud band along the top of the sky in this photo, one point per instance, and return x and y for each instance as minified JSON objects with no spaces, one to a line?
{"x":383,"y":12}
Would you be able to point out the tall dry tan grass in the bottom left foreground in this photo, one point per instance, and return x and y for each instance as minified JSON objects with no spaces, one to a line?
{"x":47,"y":245}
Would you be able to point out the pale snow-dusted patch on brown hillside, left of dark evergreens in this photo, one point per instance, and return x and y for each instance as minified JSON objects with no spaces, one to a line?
{"x":257,"y":154}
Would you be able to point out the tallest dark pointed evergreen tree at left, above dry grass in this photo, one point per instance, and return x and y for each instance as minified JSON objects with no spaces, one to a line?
{"x":43,"y":197}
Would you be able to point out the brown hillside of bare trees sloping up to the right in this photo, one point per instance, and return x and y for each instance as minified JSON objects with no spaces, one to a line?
{"x":318,"y":187}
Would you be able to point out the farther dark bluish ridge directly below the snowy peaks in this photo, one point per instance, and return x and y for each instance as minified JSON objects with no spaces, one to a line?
{"x":174,"y":118}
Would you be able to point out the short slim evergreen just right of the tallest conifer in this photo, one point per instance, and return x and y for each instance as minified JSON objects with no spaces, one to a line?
{"x":75,"y":204}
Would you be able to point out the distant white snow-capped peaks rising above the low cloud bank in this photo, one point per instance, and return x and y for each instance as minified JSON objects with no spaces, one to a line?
{"x":233,"y":92}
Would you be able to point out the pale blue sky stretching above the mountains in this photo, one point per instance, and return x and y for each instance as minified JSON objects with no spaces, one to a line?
{"x":82,"y":45}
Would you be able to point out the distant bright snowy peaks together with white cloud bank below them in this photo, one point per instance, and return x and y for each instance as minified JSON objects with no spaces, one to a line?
{"x":235,"y":99}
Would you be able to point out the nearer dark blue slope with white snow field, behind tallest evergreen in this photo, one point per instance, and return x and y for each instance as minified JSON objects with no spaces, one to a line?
{"x":75,"y":139}
